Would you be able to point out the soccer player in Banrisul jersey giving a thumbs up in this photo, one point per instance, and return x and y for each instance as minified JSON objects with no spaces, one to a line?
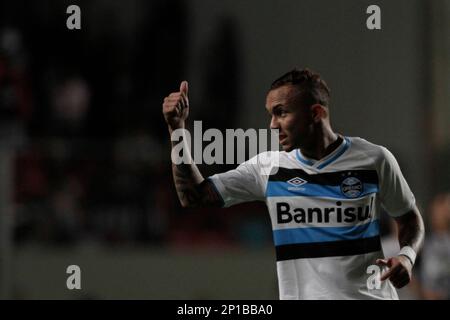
{"x":324,"y":195}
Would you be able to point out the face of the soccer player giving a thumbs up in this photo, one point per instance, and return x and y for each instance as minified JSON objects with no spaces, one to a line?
{"x":290,"y":117}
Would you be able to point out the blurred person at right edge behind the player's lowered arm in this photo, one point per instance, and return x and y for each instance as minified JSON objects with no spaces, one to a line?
{"x":436,"y":253}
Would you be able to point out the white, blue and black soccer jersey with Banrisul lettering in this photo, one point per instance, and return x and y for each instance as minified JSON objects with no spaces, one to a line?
{"x":324,"y":215}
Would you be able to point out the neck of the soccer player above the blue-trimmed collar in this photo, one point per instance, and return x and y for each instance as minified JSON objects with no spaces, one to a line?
{"x":324,"y":142}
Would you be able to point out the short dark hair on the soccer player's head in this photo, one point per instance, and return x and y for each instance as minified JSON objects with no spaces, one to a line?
{"x":312,"y":87}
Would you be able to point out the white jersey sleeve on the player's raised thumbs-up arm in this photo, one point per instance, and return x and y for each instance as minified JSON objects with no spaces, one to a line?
{"x":243,"y":184}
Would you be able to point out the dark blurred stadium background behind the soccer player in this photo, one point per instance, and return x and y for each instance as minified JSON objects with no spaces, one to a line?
{"x":85,"y":174}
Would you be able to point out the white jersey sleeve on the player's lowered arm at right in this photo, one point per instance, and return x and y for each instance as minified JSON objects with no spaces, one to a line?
{"x":395,"y":194}
